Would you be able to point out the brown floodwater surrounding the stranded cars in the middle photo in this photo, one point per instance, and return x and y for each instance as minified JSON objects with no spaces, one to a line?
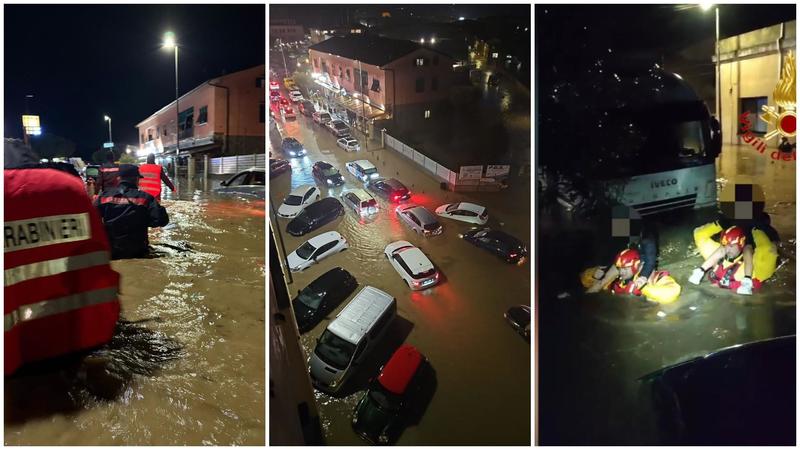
{"x":482,"y":389}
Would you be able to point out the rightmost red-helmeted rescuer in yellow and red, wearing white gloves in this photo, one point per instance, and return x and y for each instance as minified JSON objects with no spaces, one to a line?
{"x":742,"y":260}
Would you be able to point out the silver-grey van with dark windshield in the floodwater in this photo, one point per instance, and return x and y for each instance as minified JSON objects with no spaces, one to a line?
{"x":350,"y":337}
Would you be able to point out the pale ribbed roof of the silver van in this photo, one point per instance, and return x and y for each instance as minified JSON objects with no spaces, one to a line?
{"x":364,"y":310}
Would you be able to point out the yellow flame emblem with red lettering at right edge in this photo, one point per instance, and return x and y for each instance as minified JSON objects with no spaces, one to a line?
{"x":783,"y":116}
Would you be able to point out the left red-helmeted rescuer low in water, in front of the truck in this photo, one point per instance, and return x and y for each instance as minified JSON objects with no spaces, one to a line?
{"x":627,"y":276}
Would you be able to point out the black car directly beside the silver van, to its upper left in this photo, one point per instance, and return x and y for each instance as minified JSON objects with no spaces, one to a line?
{"x":321,"y":297}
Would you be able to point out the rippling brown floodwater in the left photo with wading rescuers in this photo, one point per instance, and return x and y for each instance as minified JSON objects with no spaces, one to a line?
{"x":198,"y":306}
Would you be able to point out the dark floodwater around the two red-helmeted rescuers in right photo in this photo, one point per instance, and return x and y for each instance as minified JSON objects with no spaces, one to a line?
{"x":593,"y":348}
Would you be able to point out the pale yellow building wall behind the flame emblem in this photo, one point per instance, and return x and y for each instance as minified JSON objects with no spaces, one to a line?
{"x":751,"y":66}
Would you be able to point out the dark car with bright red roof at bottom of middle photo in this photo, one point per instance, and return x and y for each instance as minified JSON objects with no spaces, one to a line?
{"x":379,"y":414}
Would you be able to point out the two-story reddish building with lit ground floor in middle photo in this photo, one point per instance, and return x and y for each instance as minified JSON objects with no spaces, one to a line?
{"x":375,"y":78}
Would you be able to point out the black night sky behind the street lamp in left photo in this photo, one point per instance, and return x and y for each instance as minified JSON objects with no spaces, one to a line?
{"x":84,"y":61}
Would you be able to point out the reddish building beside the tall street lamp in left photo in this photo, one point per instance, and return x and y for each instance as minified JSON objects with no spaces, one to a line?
{"x":223,"y":116}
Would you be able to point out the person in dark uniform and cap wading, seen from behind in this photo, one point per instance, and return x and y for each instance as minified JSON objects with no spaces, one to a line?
{"x":127,"y":212}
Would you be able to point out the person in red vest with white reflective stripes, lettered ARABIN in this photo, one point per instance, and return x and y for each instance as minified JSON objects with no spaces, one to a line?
{"x":61,"y":295}
